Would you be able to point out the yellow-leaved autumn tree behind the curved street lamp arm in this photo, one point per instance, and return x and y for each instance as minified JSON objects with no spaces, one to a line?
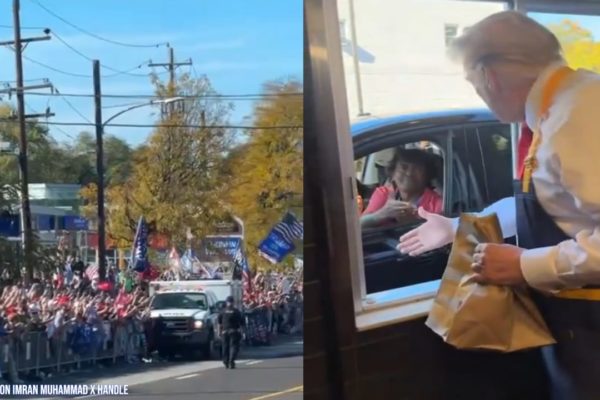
{"x":176,"y":180}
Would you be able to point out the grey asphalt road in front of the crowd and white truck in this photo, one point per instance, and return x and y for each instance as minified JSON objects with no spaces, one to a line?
{"x":273,"y":372}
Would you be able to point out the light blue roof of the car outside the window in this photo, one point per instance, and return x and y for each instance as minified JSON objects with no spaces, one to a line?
{"x":424,"y":119}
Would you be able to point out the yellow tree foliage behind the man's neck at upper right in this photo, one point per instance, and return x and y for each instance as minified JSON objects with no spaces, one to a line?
{"x":579,"y":47}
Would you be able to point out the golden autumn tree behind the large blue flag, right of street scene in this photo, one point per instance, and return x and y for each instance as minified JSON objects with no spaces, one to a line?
{"x":267,"y":169}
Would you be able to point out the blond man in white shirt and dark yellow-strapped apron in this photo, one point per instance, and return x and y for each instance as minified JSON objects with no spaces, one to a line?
{"x":516,"y":67}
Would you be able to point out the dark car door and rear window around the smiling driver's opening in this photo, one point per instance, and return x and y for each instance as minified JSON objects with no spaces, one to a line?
{"x":477,"y":172}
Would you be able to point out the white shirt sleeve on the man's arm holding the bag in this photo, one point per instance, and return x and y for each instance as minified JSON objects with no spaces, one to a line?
{"x":576,"y":262}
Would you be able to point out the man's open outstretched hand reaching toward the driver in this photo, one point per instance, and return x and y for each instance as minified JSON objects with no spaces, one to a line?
{"x":436,"y":232}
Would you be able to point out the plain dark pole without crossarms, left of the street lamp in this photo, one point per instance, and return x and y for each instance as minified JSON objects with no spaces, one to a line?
{"x":100,"y":172}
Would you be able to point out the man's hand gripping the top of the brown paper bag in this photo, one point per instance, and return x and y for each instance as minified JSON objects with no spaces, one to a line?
{"x":498,"y":264}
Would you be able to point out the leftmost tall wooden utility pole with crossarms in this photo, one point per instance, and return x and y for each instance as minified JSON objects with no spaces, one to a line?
{"x":19,"y":45}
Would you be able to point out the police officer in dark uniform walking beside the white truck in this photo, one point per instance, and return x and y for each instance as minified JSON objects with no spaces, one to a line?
{"x":231,"y":322}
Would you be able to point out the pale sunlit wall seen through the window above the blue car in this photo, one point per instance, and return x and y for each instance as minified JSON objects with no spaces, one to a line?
{"x":404,"y":67}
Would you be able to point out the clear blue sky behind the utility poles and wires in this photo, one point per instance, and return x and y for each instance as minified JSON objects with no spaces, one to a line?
{"x":238,"y":44}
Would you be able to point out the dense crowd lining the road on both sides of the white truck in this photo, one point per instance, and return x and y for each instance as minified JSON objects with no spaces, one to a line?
{"x":72,"y":303}
